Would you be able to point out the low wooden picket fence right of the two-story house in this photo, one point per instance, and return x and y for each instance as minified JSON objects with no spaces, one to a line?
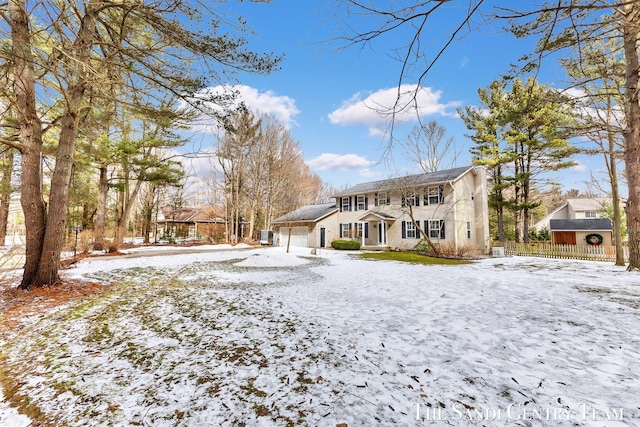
{"x":547,"y":250}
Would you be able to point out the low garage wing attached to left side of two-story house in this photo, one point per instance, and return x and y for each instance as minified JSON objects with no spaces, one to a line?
{"x":312,"y":226}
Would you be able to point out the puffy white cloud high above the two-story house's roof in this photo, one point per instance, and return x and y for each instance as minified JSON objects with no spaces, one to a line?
{"x":403,"y":104}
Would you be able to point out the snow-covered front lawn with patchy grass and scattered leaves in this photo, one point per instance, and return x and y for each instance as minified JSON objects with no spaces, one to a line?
{"x":267,"y":338}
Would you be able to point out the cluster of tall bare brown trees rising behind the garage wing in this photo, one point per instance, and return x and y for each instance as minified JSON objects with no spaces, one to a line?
{"x":264,"y":172}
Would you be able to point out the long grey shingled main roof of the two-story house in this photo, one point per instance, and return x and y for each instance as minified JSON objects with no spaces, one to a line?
{"x":406,"y":181}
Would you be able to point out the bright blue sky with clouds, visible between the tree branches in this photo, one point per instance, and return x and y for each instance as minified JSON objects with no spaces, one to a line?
{"x":319,"y":91}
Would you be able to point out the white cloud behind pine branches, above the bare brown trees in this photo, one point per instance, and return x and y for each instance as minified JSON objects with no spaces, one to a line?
{"x":268,"y":102}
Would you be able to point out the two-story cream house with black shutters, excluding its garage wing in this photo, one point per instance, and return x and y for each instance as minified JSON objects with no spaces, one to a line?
{"x":450,"y":205}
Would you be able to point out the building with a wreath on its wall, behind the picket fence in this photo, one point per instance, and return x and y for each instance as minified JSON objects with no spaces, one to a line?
{"x":575,"y":220}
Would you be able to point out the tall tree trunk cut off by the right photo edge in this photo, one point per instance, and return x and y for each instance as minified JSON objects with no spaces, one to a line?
{"x":631,"y":33}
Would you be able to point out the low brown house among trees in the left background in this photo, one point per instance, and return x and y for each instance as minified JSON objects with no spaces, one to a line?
{"x":201,"y":222}
